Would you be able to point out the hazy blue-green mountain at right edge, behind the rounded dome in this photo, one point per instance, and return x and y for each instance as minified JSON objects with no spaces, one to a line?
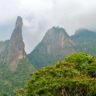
{"x":85,"y":41}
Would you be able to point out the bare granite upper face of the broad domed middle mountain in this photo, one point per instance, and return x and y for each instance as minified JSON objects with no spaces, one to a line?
{"x":57,"y":41}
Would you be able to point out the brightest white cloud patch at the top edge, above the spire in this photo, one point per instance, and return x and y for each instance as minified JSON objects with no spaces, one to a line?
{"x":35,"y":5}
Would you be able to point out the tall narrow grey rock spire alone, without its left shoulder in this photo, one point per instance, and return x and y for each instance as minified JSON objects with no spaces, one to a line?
{"x":15,"y":50}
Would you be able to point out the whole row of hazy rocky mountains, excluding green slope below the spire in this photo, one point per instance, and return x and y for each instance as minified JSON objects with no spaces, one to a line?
{"x":54,"y":46}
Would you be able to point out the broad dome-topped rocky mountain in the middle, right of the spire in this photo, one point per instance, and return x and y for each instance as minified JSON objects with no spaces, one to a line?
{"x":54,"y":46}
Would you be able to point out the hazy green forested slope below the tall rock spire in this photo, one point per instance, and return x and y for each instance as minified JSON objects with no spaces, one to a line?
{"x":9,"y":81}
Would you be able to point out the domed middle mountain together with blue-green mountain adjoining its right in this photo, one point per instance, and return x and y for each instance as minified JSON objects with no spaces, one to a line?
{"x":57,"y":43}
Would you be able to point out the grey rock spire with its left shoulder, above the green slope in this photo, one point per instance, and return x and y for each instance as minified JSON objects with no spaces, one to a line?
{"x":13,"y":50}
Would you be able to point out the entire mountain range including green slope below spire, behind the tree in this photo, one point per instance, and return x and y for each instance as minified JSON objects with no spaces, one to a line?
{"x":15,"y":64}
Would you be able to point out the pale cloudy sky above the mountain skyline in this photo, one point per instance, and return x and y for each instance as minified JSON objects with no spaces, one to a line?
{"x":40,"y":15}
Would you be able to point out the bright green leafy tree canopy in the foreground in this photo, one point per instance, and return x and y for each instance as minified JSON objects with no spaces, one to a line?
{"x":75,"y":75}
